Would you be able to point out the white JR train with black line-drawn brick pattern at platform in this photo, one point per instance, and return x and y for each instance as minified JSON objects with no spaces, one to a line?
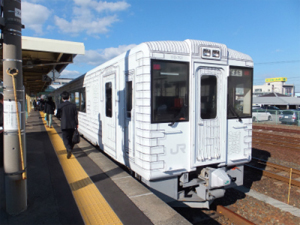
{"x":177,"y":113}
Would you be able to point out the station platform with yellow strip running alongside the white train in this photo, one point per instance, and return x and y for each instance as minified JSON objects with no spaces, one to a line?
{"x":88,"y":188}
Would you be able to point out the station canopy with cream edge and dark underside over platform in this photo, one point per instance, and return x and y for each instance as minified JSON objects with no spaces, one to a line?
{"x":40,"y":56}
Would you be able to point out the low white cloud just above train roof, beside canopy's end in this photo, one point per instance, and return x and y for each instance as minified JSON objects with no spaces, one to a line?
{"x":97,"y":57}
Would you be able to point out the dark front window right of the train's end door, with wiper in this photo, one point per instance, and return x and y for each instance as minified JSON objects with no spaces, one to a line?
{"x":239,"y":92}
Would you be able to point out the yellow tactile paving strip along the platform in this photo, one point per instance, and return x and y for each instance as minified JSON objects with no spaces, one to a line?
{"x":92,"y":205}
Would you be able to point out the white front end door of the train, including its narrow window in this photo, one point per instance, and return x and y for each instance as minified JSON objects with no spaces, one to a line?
{"x":210,"y":115}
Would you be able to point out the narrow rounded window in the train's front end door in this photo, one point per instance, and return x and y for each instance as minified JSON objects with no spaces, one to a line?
{"x":208,"y":97}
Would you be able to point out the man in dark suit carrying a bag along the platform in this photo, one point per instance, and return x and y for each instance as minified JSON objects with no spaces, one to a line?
{"x":67,"y":112}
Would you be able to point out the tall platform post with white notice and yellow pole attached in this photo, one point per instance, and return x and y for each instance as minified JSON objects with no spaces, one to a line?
{"x":14,"y":108}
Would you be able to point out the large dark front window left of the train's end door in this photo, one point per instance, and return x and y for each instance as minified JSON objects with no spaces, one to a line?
{"x":169,"y":91}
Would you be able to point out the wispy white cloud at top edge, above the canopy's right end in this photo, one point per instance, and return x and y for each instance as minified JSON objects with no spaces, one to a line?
{"x":86,"y":17}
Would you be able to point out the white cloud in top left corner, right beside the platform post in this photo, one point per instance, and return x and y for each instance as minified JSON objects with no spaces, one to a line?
{"x":34,"y":16}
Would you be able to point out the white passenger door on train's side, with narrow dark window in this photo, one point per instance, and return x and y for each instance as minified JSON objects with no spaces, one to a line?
{"x":109,"y":121}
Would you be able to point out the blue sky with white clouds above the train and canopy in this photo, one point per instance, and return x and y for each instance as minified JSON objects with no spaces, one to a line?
{"x":267,"y":30}
